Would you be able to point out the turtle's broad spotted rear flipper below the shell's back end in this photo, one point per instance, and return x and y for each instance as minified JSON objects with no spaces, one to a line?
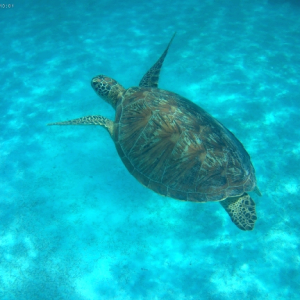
{"x":241,"y":211}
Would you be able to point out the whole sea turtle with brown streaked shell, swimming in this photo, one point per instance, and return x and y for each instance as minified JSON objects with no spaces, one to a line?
{"x":175,"y":148}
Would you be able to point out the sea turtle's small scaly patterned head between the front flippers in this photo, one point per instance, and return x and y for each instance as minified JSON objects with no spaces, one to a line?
{"x":108,"y":89}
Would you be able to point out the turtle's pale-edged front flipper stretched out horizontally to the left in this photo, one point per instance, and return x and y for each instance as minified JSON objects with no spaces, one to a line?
{"x":90,"y":120}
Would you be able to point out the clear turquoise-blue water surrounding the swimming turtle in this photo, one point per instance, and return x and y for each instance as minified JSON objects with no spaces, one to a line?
{"x":73,"y":223}
